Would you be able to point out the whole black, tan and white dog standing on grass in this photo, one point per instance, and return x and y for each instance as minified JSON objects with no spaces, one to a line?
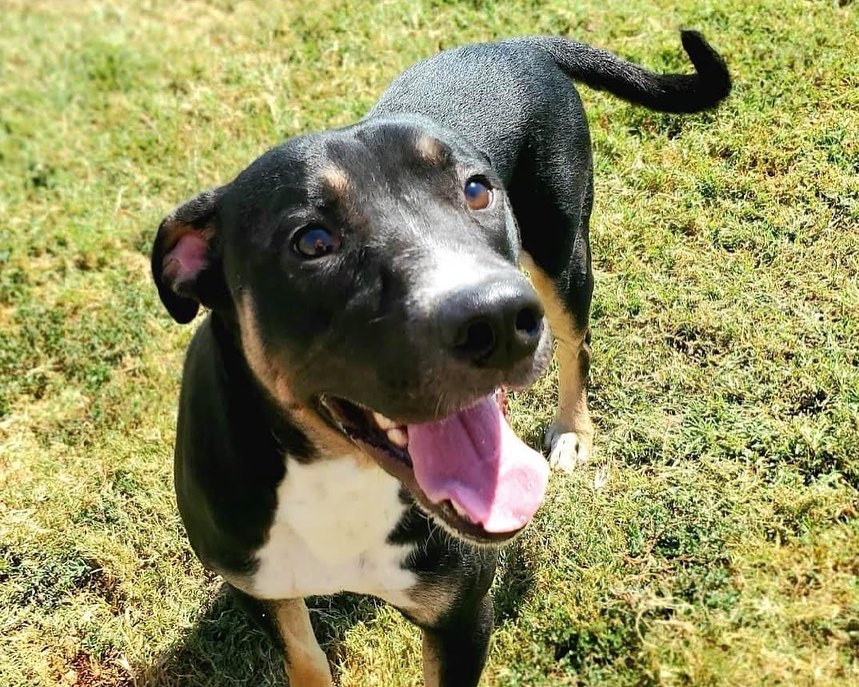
{"x":339,"y":427}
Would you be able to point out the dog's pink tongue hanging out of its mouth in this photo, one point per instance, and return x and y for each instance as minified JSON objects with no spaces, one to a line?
{"x":473,"y":459}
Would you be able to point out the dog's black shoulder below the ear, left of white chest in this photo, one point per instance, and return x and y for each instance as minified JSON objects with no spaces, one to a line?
{"x":227,"y":462}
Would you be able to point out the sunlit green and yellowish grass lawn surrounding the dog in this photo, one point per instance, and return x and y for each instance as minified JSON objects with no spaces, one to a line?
{"x":724,"y":548}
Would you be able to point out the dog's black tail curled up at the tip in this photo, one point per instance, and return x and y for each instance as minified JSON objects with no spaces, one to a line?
{"x":663,"y":92}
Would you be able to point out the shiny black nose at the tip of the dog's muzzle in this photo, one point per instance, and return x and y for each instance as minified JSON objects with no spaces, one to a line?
{"x":494,"y":324}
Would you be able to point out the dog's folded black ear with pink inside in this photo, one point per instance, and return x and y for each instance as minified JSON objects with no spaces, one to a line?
{"x":185,"y":261}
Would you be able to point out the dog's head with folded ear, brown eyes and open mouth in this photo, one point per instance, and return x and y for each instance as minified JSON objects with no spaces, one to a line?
{"x":371,"y":277}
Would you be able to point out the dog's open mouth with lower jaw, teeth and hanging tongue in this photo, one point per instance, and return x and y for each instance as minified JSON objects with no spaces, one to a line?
{"x":468,"y":469}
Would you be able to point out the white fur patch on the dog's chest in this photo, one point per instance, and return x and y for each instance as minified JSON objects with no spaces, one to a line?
{"x":330,"y":533}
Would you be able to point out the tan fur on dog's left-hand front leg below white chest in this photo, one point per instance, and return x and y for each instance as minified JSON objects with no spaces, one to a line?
{"x":306,"y":663}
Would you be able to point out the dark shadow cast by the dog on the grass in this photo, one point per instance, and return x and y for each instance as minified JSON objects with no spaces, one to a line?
{"x":225,"y":648}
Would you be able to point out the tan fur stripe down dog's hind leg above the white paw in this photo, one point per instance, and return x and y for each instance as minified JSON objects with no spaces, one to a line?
{"x":573,"y":356}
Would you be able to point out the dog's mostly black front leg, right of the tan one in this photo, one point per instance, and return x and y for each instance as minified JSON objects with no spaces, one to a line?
{"x":454,"y":654}
